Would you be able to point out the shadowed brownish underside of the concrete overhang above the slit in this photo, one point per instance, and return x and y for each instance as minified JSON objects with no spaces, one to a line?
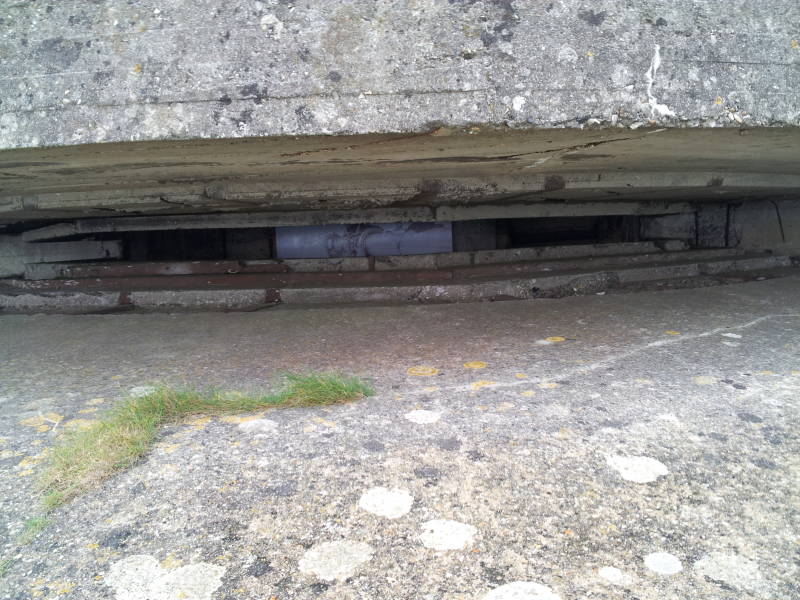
{"x":445,"y":174}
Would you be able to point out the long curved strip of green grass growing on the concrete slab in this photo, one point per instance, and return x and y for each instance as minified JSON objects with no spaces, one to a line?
{"x":83,"y":459}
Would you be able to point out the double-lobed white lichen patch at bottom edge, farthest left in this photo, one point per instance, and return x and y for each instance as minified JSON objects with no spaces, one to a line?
{"x":140,"y":577}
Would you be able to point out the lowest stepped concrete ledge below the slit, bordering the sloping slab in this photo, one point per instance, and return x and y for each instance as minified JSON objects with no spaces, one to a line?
{"x":404,"y":288}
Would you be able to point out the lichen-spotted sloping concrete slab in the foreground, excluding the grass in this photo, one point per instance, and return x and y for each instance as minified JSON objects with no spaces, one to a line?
{"x":643,"y":446}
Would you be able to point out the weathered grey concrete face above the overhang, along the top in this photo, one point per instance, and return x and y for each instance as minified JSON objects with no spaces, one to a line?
{"x":74,"y":72}
